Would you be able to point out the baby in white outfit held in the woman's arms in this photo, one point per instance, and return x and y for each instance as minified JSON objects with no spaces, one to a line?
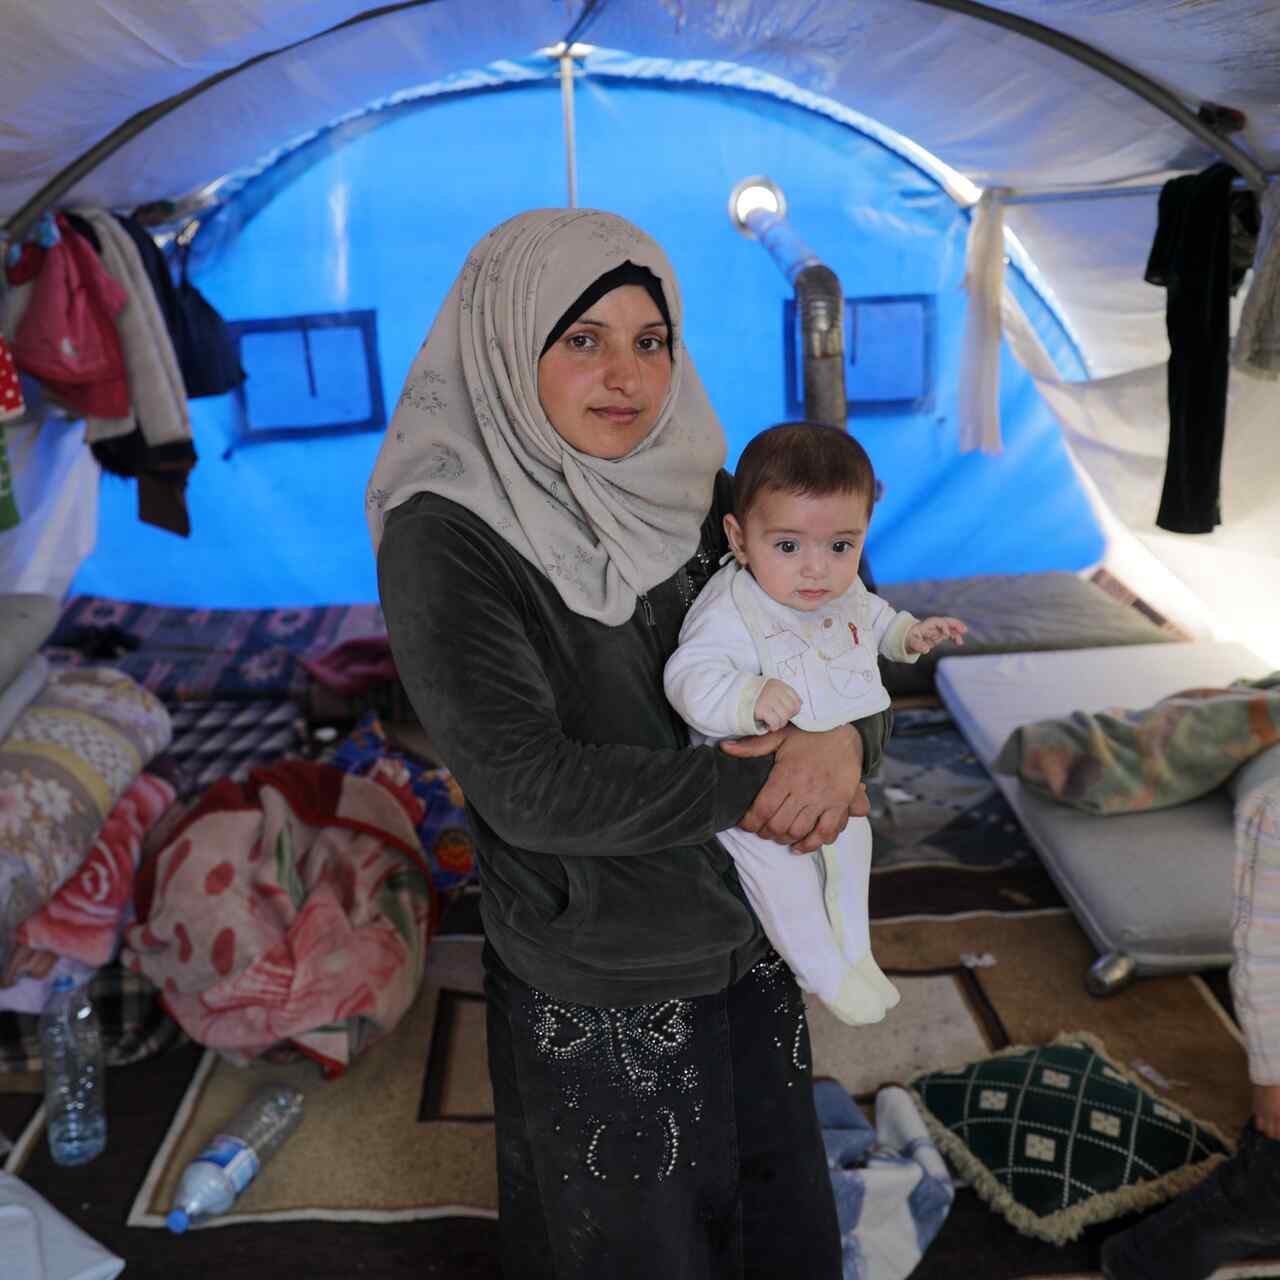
{"x":789,"y":634}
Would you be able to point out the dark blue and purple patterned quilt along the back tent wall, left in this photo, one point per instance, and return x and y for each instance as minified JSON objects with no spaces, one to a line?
{"x":203,"y":655}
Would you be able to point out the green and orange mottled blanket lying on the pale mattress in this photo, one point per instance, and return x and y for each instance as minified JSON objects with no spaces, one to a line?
{"x":1127,"y":761}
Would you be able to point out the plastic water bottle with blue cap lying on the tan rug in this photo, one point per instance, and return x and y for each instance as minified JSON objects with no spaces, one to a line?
{"x":231,"y":1162}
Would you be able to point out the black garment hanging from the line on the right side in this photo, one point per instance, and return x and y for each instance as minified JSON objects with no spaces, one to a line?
{"x":1204,"y":246}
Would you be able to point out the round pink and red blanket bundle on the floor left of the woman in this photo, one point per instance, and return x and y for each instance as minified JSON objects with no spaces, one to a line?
{"x":290,"y":909}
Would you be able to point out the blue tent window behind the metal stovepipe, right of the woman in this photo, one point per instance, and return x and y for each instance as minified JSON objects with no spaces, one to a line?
{"x":889,"y":346}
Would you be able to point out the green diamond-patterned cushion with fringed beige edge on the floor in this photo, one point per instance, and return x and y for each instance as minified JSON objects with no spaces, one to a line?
{"x":1059,"y":1137}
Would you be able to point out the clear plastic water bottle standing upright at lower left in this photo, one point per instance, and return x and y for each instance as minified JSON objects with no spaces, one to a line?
{"x":71,"y":1045}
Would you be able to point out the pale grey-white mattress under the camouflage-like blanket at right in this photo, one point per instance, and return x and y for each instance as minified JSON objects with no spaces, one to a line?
{"x":1156,"y":886}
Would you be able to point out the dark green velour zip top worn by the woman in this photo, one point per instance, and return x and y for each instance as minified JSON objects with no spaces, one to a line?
{"x":595,"y":820}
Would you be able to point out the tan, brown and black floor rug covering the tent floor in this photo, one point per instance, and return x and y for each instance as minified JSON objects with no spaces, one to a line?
{"x":970,"y":985}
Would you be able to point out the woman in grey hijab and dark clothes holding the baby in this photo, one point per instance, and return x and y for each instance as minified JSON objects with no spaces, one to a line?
{"x":547,"y":504}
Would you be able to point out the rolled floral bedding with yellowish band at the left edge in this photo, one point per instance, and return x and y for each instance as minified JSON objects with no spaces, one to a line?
{"x":66,"y":762}
